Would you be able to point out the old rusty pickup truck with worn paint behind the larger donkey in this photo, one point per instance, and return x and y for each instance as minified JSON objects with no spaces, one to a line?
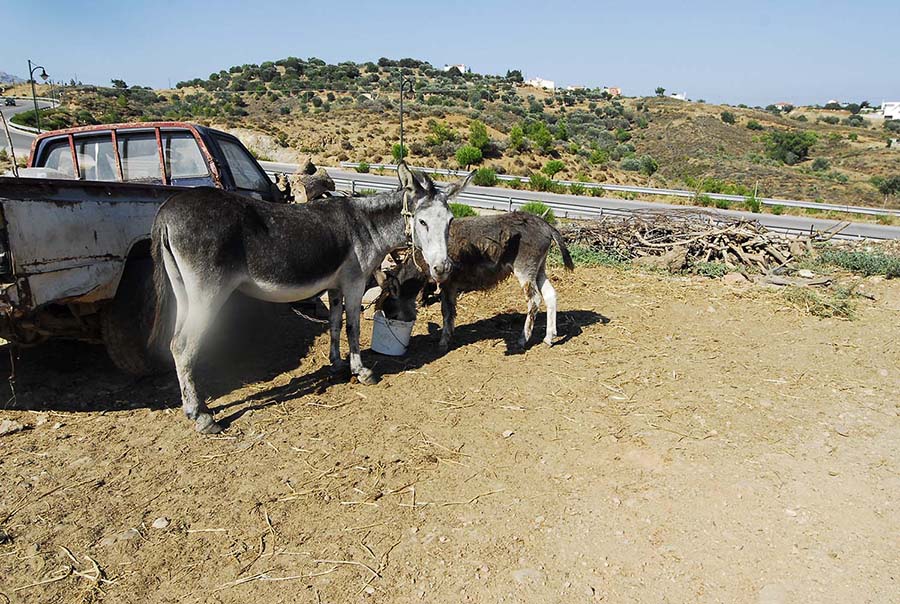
{"x":75,"y":229}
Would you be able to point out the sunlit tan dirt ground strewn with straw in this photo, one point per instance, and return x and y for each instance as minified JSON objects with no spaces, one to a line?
{"x":686,"y":441}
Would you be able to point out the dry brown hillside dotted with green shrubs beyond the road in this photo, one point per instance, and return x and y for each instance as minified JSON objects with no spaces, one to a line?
{"x":350,"y":112}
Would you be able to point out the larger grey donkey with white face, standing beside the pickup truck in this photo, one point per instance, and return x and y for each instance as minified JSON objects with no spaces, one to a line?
{"x":207,"y":244}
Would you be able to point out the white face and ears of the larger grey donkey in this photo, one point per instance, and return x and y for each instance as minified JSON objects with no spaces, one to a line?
{"x":431,"y":219}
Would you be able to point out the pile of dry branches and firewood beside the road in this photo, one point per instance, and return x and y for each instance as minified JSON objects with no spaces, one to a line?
{"x":682,"y":238}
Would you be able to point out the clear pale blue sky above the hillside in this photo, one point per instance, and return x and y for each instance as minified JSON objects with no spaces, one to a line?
{"x":752,"y":52}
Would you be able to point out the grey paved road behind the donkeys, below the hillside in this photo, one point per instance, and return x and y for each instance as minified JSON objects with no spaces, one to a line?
{"x":588,"y":207}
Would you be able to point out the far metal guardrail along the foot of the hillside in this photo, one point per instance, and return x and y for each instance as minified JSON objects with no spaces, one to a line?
{"x":791,"y":203}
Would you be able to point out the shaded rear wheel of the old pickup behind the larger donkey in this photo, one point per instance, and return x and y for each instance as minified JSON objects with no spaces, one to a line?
{"x":126,"y":322}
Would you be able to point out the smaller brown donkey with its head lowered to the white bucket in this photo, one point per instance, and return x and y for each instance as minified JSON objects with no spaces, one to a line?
{"x":485,"y":250}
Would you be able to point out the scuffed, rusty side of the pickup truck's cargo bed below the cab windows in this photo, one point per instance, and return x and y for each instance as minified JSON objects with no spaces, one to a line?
{"x":68,"y":239}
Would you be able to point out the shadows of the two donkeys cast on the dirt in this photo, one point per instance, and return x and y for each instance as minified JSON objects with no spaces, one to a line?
{"x":423,"y":349}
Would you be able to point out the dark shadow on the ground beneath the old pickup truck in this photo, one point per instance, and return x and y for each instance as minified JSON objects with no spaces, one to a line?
{"x":254,"y":342}
